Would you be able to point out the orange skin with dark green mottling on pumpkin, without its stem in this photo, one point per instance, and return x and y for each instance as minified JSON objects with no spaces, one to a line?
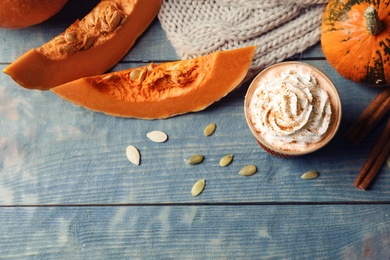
{"x":349,"y":47}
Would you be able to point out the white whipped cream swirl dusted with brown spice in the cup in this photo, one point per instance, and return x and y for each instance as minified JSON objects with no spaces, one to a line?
{"x":291,"y":111}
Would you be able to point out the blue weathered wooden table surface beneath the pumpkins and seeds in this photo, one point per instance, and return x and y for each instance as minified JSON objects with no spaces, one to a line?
{"x":67,"y":190}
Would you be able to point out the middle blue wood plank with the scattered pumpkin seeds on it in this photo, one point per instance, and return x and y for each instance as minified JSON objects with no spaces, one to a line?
{"x":49,"y":145}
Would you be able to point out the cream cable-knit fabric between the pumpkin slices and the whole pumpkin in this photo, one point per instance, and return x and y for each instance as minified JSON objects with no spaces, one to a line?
{"x":279,"y":28}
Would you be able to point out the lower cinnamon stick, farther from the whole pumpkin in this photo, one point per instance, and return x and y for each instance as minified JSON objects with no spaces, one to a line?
{"x":375,"y":160}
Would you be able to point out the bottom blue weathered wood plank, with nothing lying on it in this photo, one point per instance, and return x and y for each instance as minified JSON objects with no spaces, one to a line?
{"x":197,"y":232}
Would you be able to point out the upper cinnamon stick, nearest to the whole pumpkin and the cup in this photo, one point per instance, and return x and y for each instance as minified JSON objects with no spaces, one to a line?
{"x":370,"y":117}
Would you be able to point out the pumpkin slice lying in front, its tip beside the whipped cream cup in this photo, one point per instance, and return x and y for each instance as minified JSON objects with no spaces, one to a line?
{"x":162,"y":90}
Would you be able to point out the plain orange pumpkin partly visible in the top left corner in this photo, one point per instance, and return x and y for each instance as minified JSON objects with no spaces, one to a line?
{"x":24,"y":13}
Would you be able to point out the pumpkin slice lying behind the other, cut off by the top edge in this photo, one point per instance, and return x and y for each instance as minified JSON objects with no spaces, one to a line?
{"x":88,"y":47}
